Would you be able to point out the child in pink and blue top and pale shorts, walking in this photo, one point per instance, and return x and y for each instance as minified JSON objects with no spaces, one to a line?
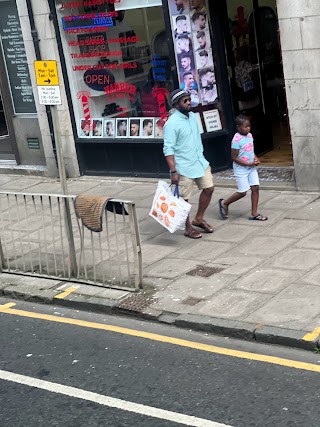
{"x":244,"y":168}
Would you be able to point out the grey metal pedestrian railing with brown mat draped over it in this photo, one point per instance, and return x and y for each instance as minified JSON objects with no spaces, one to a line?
{"x":41,"y":235}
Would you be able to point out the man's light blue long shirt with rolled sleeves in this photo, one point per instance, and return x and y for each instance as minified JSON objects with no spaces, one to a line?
{"x":182,"y":140}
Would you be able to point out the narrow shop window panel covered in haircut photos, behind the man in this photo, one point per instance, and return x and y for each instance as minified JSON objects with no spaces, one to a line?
{"x":195,"y":59}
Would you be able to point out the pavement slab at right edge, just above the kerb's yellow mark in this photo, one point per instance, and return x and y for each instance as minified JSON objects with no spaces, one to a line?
{"x":293,"y":308}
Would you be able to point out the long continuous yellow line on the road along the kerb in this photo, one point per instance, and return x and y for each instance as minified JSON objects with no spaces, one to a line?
{"x":165,"y":339}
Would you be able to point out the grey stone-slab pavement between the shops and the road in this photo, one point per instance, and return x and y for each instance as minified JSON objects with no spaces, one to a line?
{"x":250,"y":280}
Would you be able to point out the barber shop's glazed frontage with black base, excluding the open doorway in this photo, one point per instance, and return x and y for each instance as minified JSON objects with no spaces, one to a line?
{"x":121,"y":60}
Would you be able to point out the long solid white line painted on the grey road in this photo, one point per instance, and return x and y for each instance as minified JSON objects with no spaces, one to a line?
{"x":112,"y":402}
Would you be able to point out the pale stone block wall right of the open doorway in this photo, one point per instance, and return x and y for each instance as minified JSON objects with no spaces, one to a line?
{"x":299,"y":22}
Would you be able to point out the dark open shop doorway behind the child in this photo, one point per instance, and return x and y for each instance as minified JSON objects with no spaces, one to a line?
{"x":256,"y":77}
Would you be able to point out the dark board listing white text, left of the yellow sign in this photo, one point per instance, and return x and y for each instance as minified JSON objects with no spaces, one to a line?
{"x":15,"y":58}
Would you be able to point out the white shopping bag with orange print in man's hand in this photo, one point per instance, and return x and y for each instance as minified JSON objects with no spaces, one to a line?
{"x":168,"y":209}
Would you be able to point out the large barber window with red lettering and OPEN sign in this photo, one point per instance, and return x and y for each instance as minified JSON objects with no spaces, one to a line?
{"x":119,"y":71}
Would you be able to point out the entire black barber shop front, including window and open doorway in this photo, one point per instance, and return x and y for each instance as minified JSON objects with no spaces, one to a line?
{"x":122,"y":58}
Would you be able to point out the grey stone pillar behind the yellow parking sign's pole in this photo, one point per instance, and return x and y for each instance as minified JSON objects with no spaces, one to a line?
{"x":49,"y":50}
